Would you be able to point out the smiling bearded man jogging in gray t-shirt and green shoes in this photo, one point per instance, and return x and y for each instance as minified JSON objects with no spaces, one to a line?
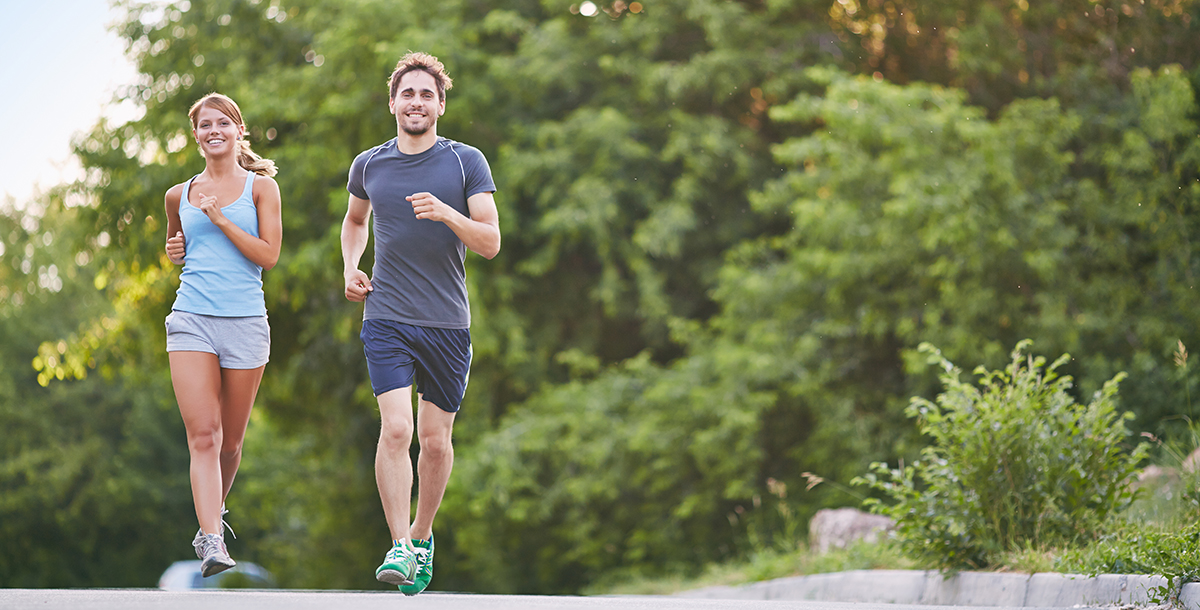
{"x":433,"y":201}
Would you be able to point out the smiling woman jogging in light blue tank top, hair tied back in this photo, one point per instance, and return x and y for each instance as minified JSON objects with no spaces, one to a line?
{"x":224,"y":226}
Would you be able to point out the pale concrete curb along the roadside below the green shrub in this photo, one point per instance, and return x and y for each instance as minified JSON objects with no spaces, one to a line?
{"x":977,"y":589}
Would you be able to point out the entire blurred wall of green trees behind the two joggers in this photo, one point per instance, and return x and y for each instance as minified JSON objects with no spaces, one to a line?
{"x":728,"y":226}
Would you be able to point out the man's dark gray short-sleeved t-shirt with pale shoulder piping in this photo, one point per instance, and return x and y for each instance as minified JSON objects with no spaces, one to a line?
{"x":418,"y":277}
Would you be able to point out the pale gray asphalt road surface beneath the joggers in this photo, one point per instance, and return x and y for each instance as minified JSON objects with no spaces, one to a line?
{"x":289,"y":600}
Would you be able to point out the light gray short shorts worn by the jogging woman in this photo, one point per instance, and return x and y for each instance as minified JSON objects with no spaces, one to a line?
{"x":238,"y":343}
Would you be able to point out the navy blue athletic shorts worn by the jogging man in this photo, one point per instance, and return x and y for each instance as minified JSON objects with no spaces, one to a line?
{"x":439,"y":360}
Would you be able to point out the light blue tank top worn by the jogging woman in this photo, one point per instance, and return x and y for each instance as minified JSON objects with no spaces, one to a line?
{"x":218,"y":279}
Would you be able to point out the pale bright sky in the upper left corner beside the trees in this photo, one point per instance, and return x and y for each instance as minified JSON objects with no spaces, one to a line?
{"x":59,"y":69}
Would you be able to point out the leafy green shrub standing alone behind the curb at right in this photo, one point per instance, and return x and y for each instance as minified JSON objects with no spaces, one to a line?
{"x":1015,"y":463}
